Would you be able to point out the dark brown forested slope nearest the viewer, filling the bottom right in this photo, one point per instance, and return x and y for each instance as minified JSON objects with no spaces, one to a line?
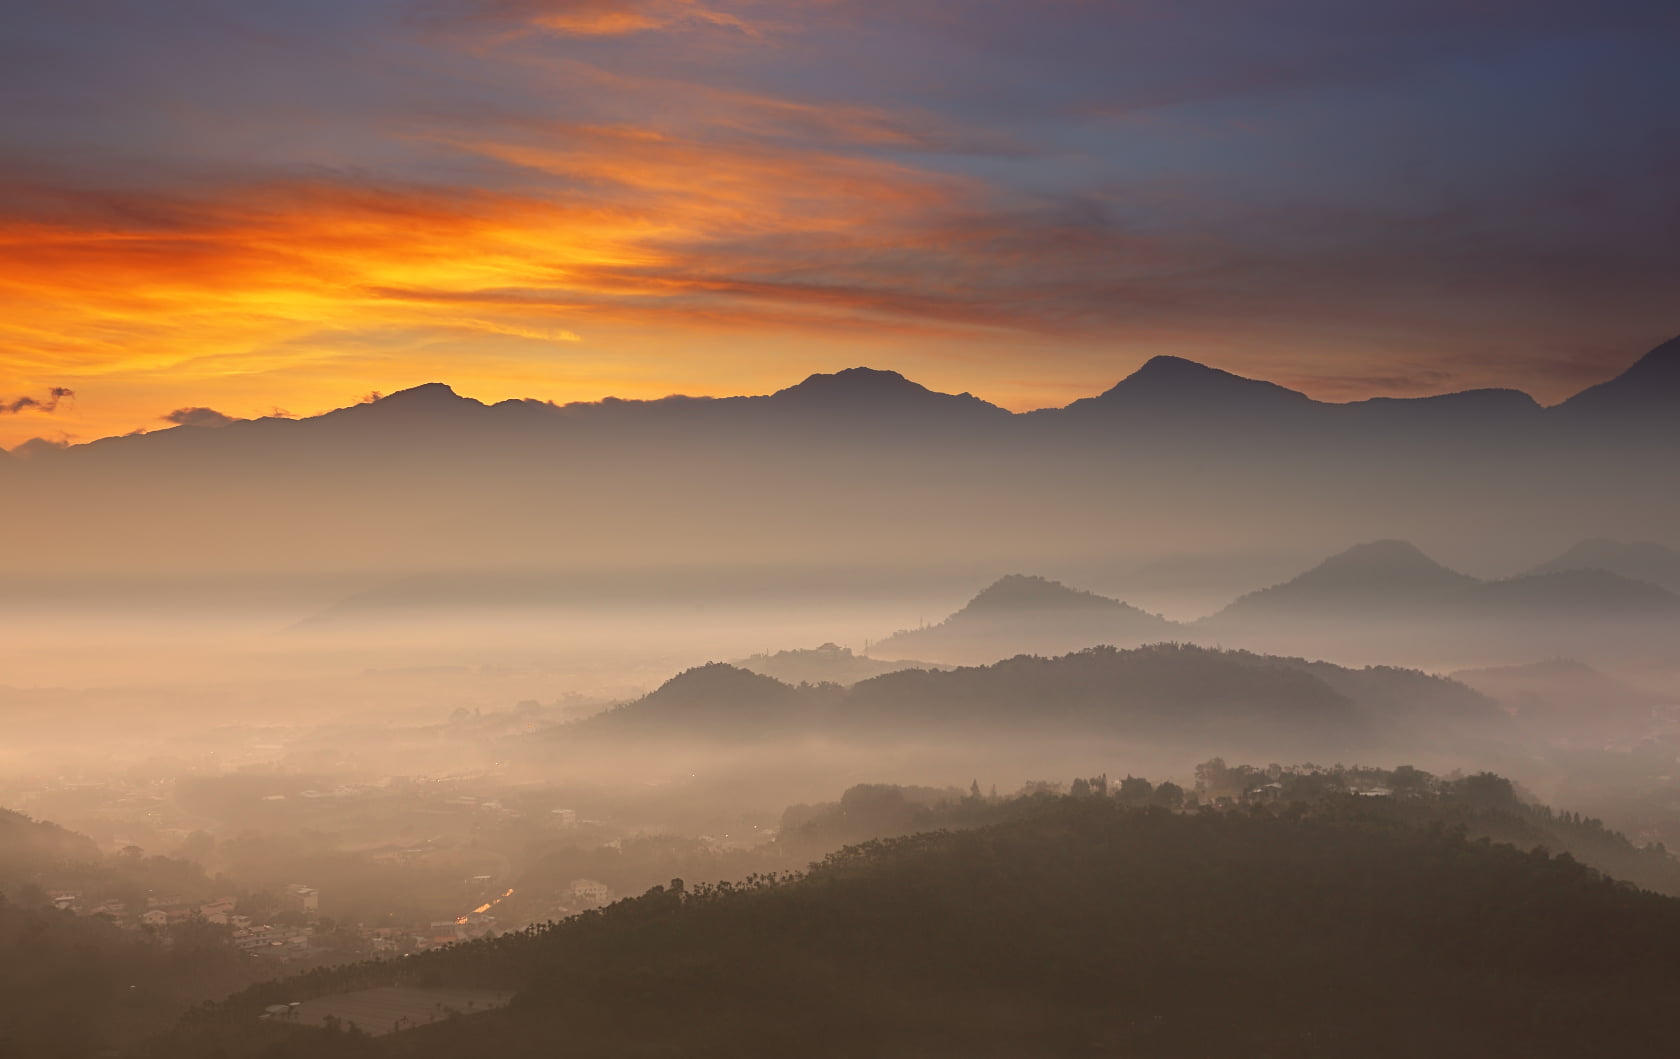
{"x":1074,"y":927}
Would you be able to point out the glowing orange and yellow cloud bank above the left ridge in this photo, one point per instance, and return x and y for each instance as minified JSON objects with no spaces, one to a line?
{"x":597,"y":228}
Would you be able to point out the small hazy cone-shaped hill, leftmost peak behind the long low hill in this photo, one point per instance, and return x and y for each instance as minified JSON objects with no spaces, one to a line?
{"x":1027,"y":614}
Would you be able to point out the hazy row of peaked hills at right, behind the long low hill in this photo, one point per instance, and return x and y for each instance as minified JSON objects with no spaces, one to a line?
{"x":1380,"y":599}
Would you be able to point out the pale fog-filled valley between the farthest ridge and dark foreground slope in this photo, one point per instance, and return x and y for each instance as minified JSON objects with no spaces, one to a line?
{"x":424,"y":673}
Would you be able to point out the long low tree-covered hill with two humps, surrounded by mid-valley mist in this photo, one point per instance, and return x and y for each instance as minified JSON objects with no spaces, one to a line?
{"x":1167,"y":693}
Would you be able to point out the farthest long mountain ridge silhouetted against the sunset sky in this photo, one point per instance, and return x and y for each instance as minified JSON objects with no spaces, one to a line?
{"x":858,"y":466}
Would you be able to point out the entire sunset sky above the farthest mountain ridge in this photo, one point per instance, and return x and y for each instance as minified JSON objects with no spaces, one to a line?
{"x":231,"y":208}
